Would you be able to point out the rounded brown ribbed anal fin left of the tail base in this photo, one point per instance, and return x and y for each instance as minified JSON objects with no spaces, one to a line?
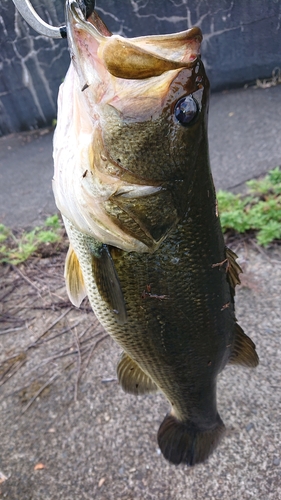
{"x":132,"y":379}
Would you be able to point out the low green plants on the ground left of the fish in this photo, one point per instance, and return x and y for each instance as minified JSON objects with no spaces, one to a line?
{"x":15,"y":249}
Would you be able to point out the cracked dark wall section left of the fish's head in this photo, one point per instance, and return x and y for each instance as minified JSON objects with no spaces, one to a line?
{"x":32,"y":68}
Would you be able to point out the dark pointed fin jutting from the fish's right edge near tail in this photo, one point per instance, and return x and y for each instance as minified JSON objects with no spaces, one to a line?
{"x":244,"y":350}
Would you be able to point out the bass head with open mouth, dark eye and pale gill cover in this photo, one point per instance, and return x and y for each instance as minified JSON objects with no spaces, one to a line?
{"x":131,"y":121}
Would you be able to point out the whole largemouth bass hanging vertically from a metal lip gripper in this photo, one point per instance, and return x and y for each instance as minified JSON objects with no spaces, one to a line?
{"x":133,"y":183}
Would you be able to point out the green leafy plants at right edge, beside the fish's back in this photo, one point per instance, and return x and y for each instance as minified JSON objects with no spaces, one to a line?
{"x":259,"y":210}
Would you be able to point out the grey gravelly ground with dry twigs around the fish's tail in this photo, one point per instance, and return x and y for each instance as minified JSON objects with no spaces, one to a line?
{"x":67,"y":429}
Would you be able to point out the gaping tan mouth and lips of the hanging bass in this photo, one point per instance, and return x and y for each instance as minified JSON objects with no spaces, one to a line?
{"x":135,"y":58}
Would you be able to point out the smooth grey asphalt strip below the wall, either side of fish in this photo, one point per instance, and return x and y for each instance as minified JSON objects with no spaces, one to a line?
{"x":244,"y":137}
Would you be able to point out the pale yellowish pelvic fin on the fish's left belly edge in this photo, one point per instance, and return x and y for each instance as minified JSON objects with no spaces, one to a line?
{"x":74,"y":280}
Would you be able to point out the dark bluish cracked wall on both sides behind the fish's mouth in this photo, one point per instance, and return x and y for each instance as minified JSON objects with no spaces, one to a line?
{"x":242,"y":42}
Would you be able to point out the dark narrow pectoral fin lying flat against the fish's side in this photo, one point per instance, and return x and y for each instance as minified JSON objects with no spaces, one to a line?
{"x":108,"y":284}
